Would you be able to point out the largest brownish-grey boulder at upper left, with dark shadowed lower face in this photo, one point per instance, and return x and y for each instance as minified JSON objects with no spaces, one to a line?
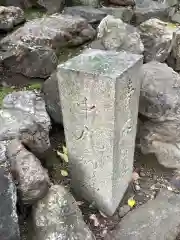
{"x":31,"y":50}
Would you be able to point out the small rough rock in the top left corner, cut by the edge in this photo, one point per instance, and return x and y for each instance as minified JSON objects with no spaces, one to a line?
{"x":10,"y":17}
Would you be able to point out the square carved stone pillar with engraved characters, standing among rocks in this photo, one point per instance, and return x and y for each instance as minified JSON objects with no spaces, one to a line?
{"x":99,"y":94}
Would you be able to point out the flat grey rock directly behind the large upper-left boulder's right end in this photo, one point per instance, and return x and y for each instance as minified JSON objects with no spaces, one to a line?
{"x":92,"y":15}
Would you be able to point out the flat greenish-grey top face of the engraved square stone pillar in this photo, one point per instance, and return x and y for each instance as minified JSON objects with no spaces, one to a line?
{"x":92,"y":61}
